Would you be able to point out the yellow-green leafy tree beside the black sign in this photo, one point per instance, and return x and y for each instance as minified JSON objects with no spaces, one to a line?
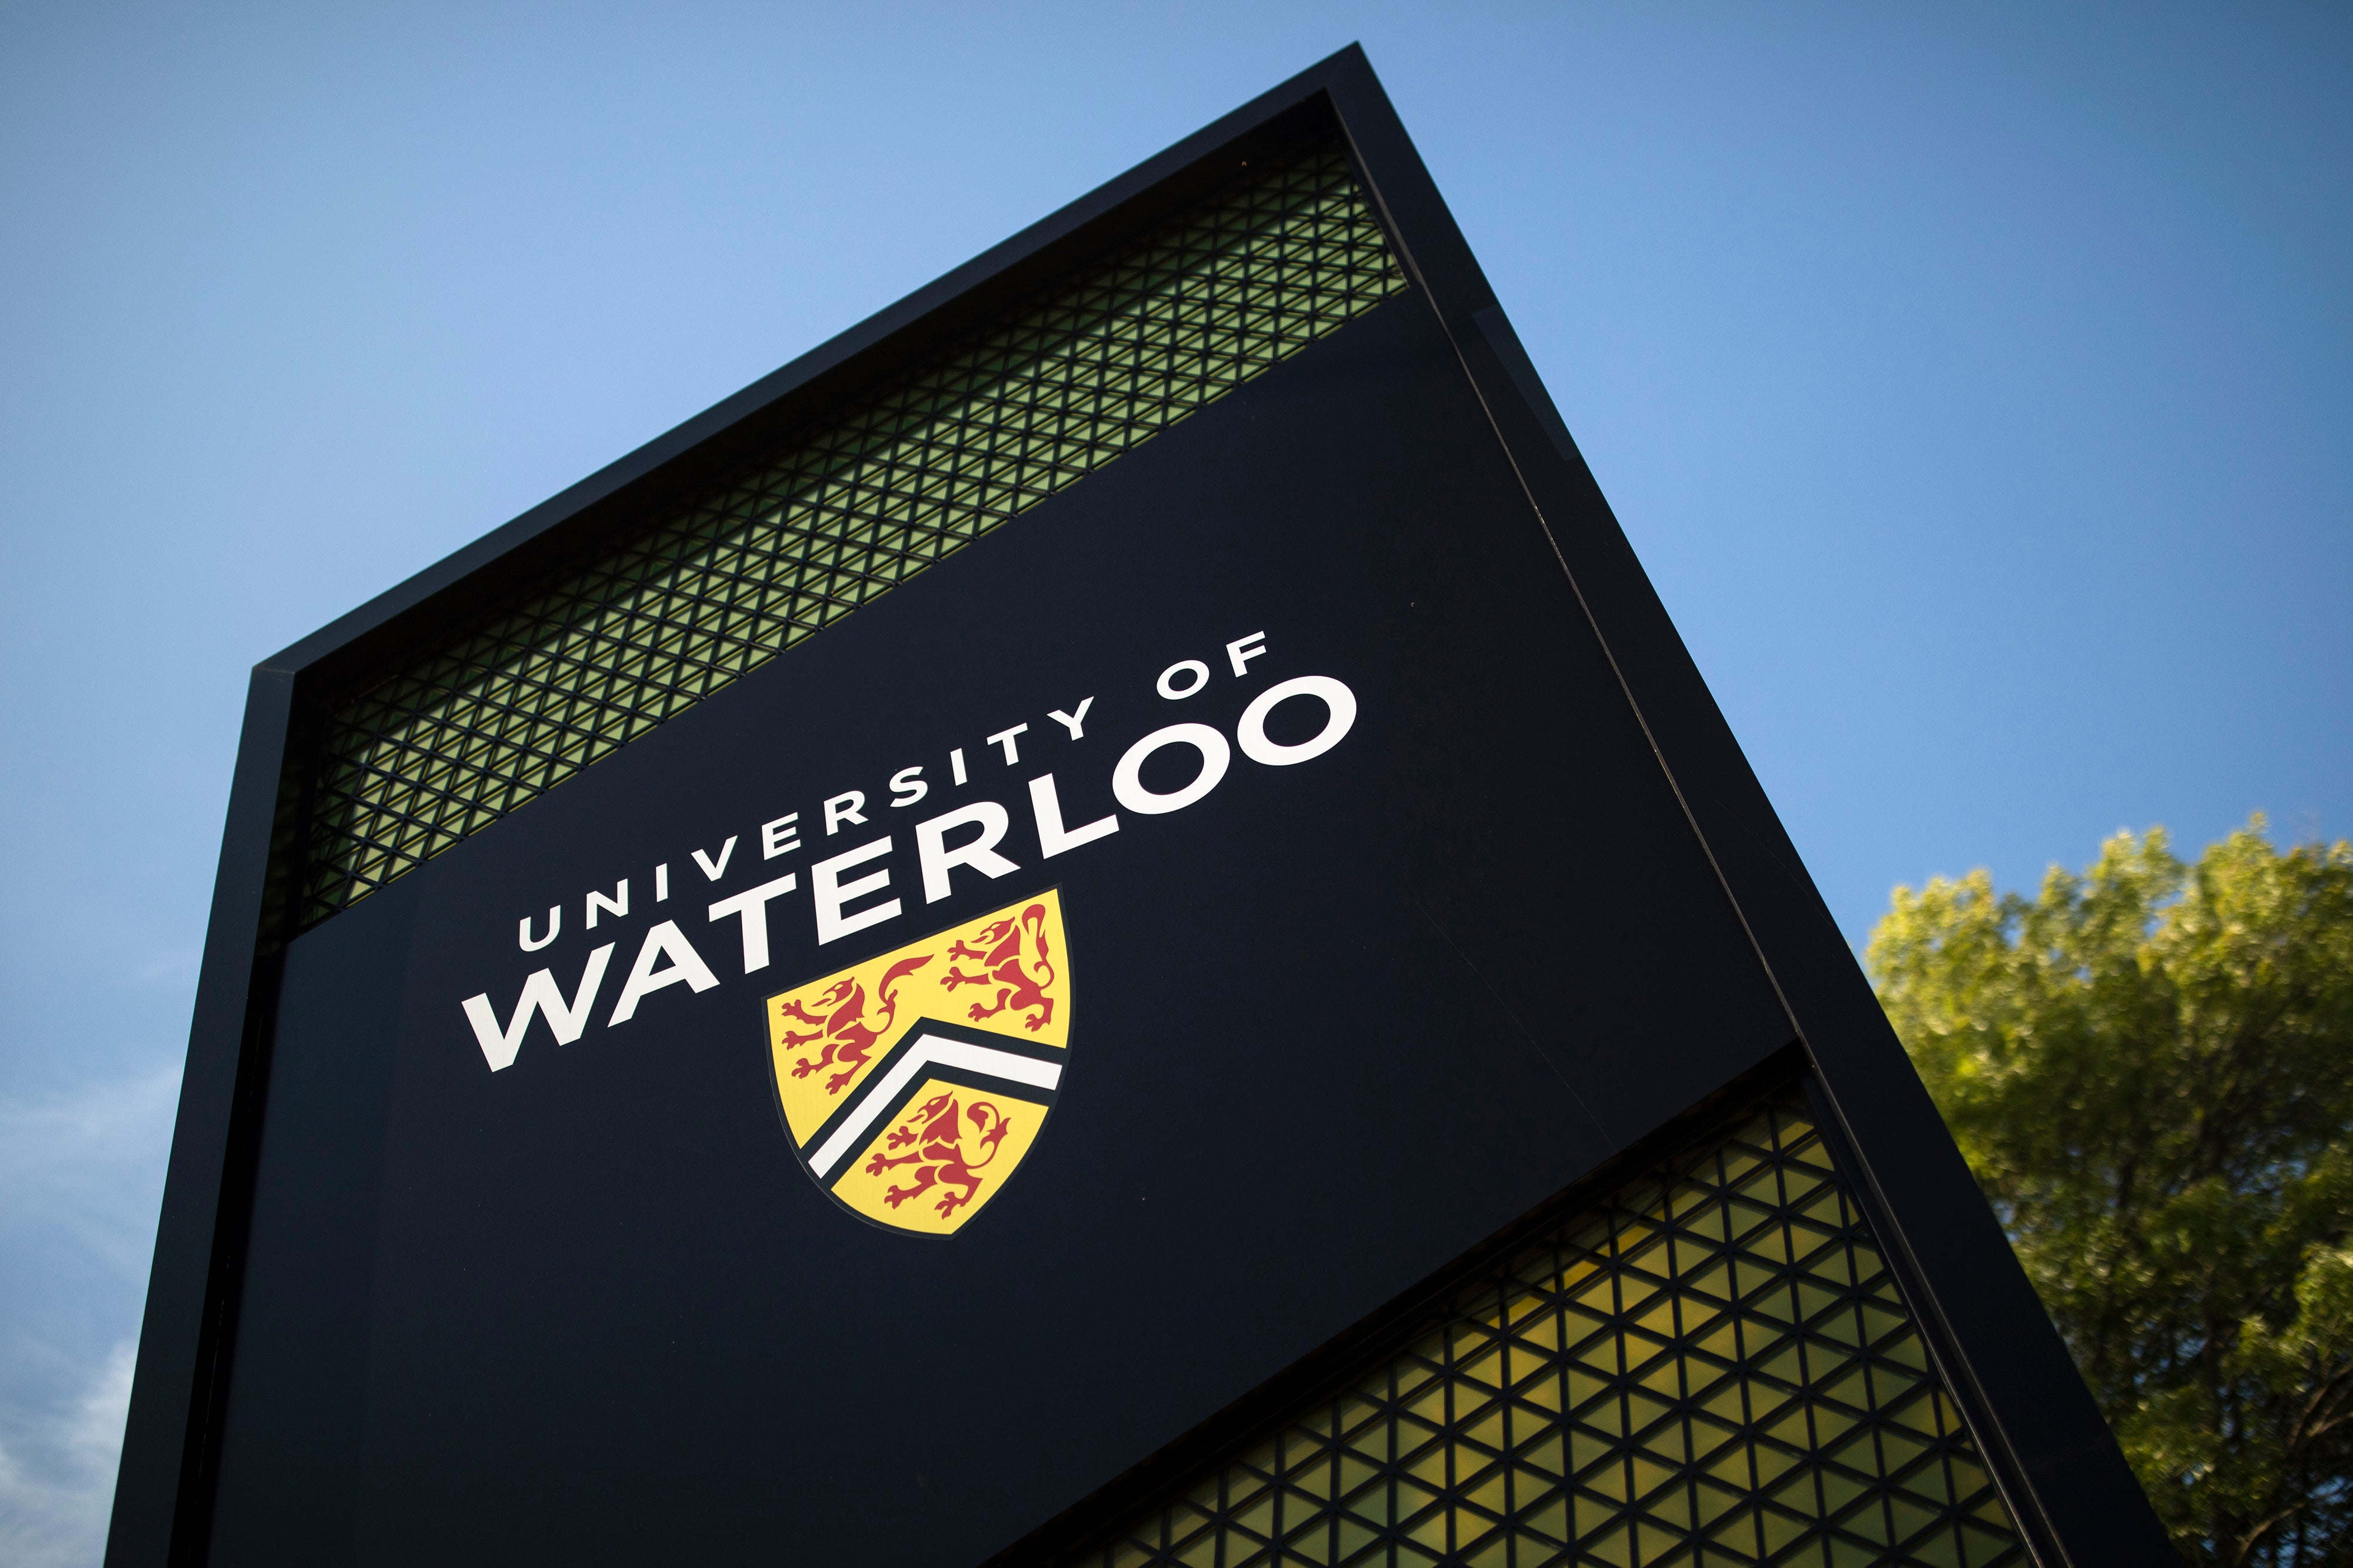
{"x":2152,"y":1075}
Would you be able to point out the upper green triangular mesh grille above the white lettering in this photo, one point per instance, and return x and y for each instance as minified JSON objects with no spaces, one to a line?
{"x":898,"y":481}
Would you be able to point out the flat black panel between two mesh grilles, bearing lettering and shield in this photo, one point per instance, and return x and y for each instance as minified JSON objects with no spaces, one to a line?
{"x":1345,"y":997}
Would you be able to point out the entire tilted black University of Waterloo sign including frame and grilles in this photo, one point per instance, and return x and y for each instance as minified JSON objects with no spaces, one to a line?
{"x":1102,"y":924}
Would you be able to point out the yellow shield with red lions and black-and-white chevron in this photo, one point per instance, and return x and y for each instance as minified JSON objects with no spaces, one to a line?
{"x":916,"y":1082}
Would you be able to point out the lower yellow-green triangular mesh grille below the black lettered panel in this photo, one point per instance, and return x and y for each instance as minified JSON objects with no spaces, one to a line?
{"x":1709,"y":1369}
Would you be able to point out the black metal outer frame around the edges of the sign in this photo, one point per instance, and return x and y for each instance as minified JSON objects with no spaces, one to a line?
{"x":2041,"y":1430}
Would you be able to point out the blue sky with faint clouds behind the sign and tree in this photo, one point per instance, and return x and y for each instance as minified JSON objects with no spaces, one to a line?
{"x":1973,"y":383}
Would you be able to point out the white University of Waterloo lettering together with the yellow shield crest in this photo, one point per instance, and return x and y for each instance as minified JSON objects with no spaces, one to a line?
{"x":928,"y":1070}
